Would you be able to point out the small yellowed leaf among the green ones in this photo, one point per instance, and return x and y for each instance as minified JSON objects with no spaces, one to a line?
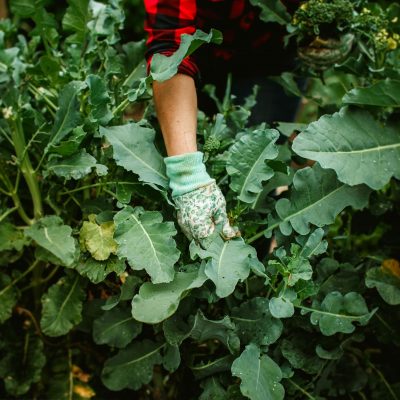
{"x":98,"y":239}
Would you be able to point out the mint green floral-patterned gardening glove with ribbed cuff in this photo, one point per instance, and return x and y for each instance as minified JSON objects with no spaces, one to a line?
{"x":200,"y":202}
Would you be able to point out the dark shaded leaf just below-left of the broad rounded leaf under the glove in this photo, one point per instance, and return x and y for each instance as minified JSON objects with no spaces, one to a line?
{"x":116,"y":328}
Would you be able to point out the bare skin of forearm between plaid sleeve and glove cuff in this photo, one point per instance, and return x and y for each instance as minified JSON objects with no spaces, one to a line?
{"x":176,"y":107}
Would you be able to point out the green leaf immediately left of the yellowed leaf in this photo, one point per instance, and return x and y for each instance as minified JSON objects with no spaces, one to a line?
{"x":51,"y":234}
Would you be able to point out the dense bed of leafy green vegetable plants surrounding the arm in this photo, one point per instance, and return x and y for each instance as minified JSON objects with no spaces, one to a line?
{"x":101,"y":296}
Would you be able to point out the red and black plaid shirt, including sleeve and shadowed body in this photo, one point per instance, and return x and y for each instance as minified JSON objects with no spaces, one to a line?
{"x":243,"y":32}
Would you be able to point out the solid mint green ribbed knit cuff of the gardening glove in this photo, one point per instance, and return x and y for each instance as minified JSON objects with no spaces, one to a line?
{"x":186,"y":172}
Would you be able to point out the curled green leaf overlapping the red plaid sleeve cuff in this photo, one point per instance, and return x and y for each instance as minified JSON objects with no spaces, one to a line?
{"x":164,"y":67}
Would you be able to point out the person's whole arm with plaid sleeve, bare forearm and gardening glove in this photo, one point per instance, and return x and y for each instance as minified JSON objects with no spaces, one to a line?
{"x":201,"y":204}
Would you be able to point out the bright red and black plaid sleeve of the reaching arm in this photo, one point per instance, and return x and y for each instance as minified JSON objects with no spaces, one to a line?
{"x":166,"y":21}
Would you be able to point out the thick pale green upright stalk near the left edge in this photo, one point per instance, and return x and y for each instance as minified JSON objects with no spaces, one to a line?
{"x":26,"y":168}
